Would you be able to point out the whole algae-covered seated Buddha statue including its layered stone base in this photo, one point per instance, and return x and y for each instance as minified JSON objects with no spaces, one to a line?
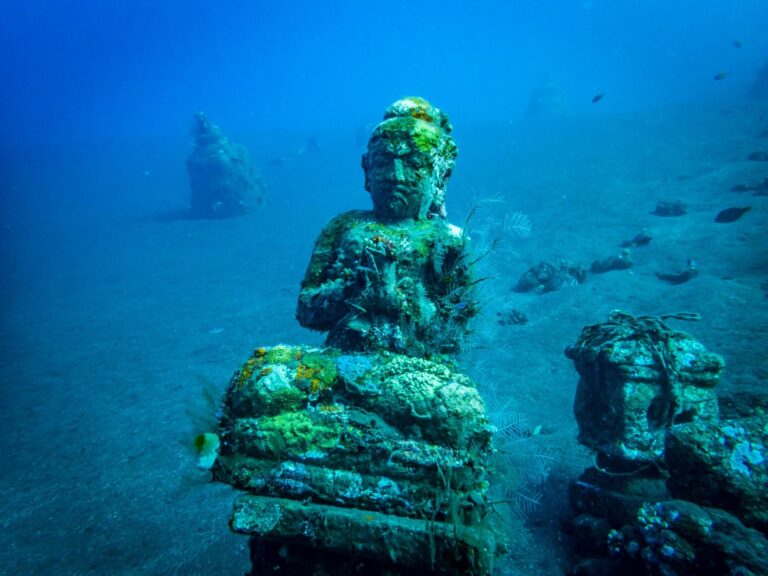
{"x":369,"y":456}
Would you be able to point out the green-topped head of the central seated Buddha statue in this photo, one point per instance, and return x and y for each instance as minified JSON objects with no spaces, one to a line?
{"x":410,"y":157}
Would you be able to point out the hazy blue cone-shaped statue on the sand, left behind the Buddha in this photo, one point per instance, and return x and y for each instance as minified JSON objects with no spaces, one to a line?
{"x":222,"y":179}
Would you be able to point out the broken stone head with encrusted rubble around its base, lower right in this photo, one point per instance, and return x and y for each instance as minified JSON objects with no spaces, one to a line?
{"x":679,"y":485}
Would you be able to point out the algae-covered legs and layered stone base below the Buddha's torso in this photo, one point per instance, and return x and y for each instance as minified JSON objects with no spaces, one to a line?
{"x":376,"y":456}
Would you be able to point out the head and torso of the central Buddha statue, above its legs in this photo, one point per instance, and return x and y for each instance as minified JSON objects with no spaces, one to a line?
{"x":397,"y":277}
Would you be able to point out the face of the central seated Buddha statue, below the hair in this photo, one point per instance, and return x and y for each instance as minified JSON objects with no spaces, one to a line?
{"x":399,"y":181}
